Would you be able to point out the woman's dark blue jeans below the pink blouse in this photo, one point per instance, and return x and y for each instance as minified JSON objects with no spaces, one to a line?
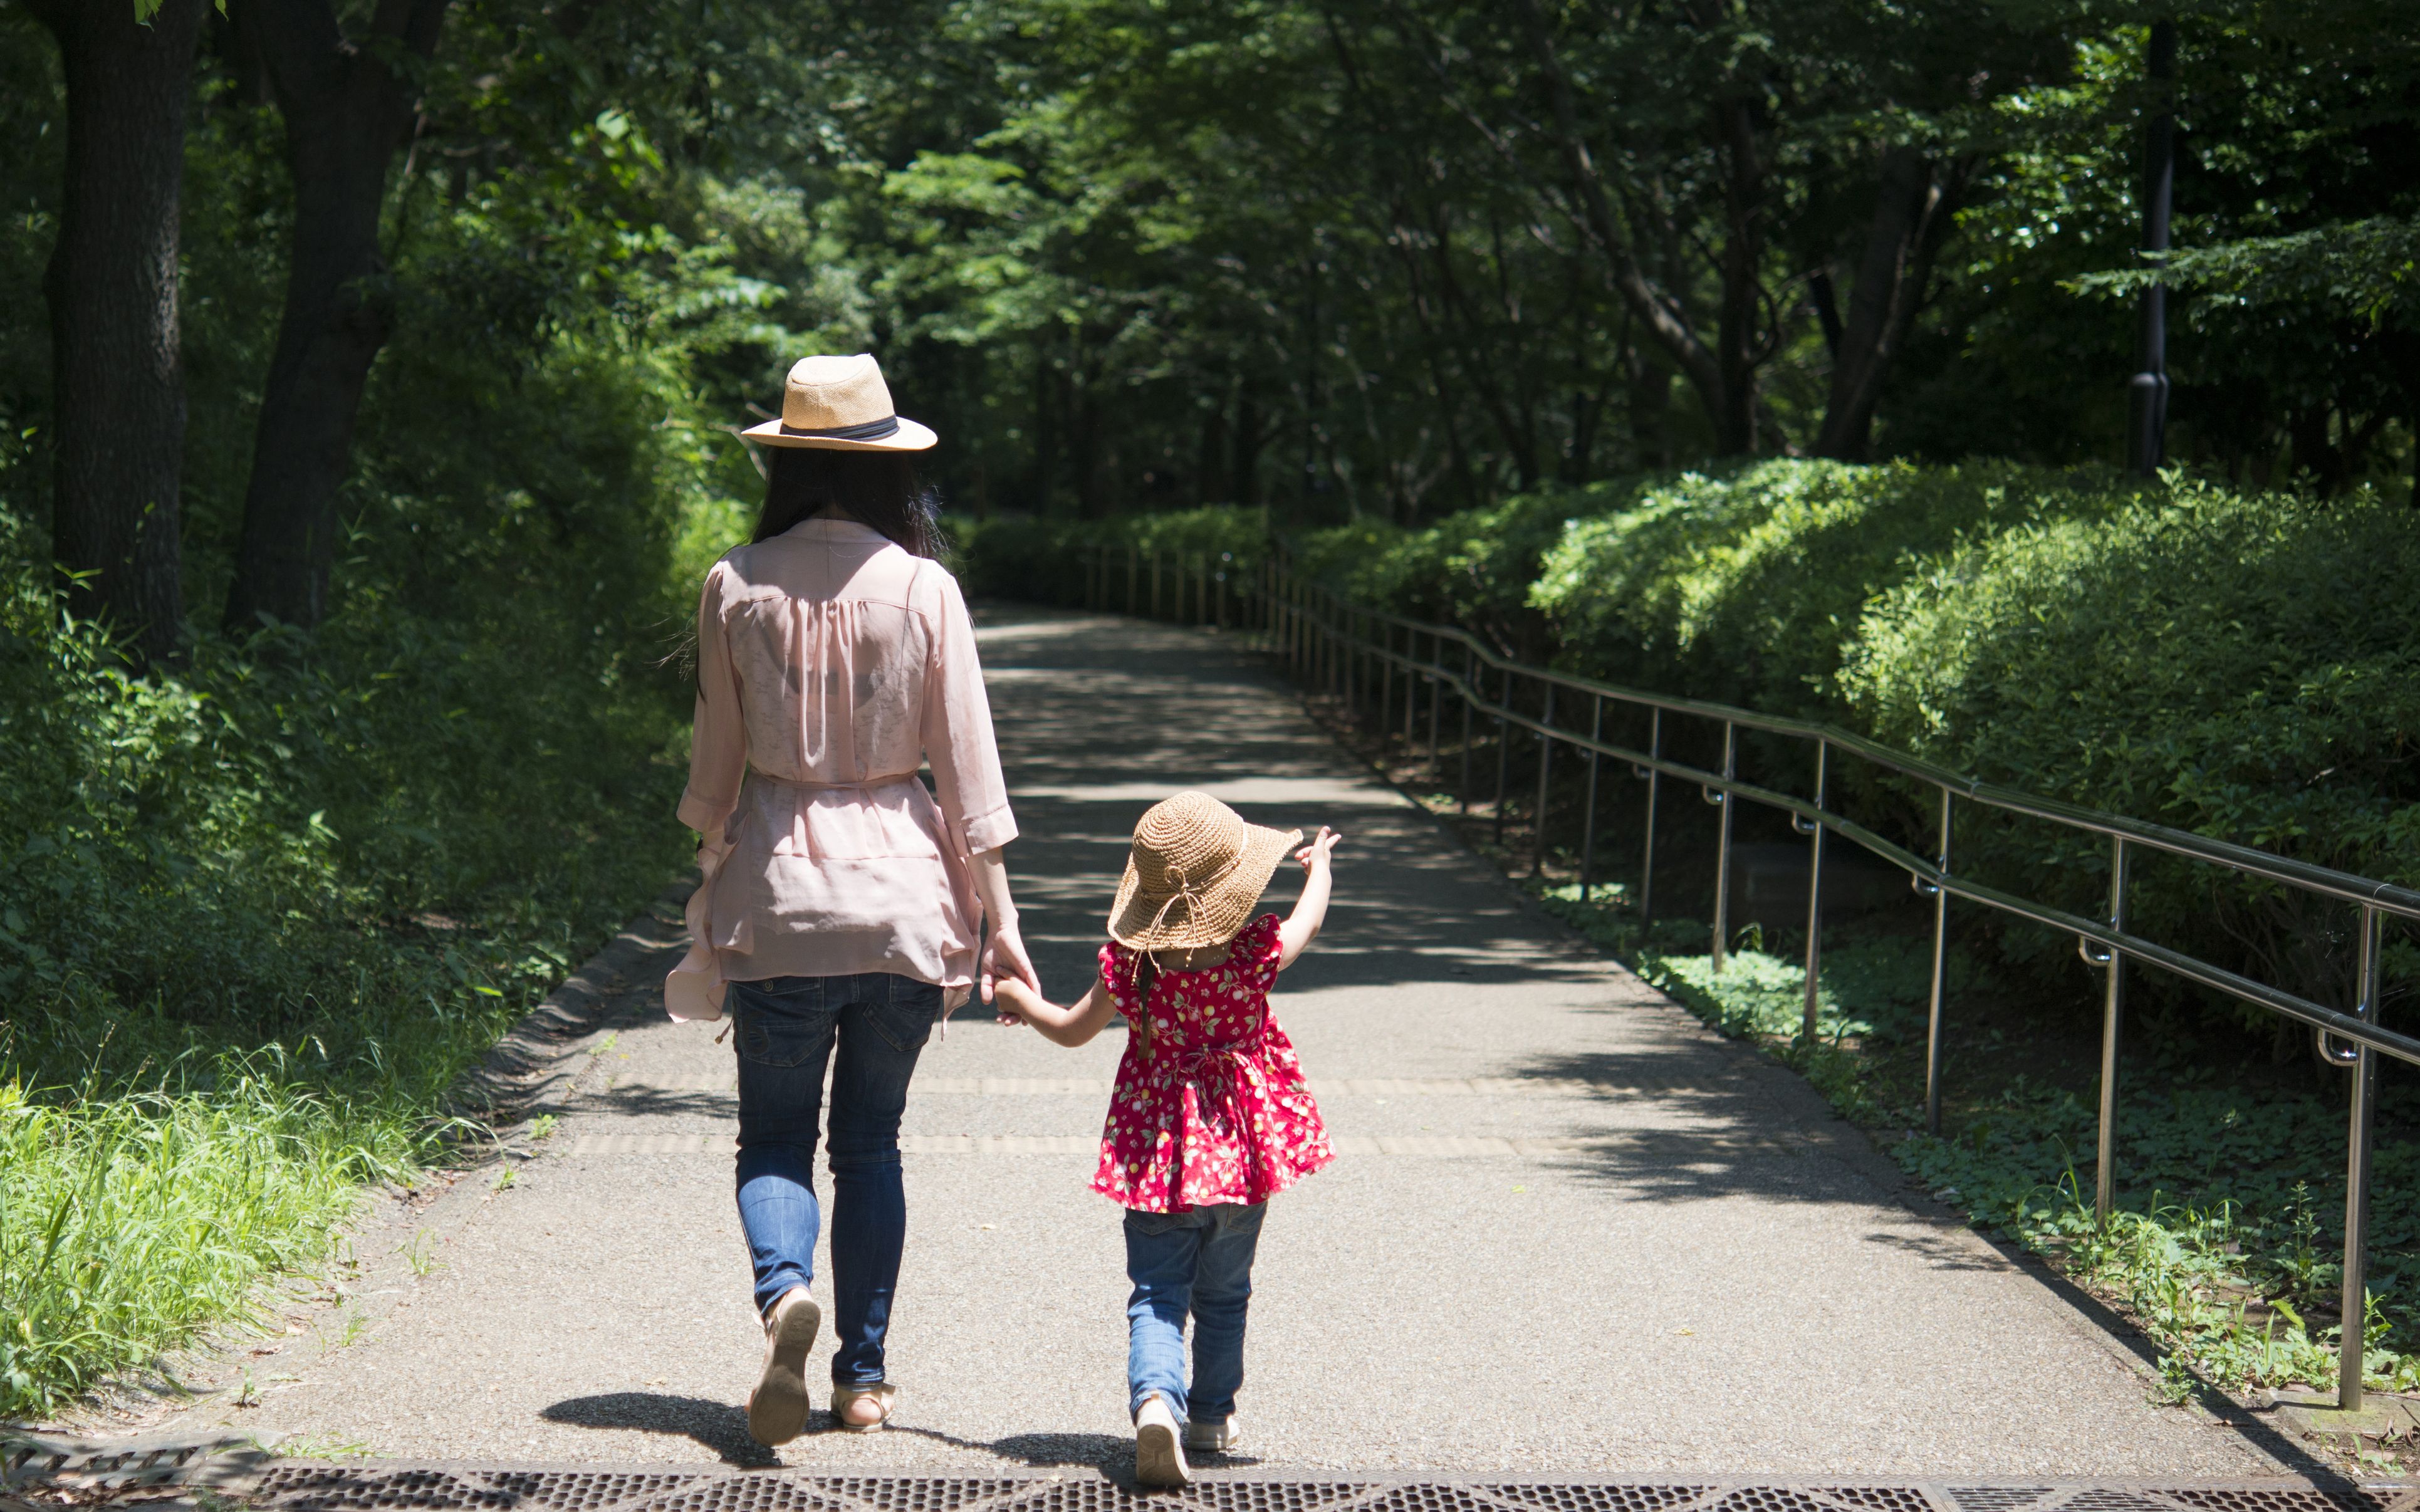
{"x":785,"y":1034}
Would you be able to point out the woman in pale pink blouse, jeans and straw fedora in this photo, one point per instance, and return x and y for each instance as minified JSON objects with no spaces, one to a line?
{"x":839,"y":906}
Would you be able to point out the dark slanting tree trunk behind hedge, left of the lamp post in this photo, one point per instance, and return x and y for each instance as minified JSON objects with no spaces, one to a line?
{"x":1911,"y":209}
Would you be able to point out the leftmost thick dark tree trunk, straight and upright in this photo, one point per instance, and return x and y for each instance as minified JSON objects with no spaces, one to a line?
{"x":113,"y":292}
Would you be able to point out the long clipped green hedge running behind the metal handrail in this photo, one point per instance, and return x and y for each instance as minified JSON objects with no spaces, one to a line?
{"x":2242,"y":666}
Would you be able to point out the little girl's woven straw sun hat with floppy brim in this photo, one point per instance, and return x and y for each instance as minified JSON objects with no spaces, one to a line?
{"x":1194,"y":875}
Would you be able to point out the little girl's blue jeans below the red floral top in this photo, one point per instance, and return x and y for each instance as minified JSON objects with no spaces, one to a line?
{"x":1189,"y":1262}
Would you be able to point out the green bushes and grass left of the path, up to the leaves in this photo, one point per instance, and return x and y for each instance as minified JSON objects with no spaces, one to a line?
{"x":258,"y":913}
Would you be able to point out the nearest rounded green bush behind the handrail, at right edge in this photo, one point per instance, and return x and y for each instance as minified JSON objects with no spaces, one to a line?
{"x":2230,"y":664}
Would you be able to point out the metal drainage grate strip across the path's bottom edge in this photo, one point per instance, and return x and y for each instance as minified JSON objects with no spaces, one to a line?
{"x":473,"y":1489}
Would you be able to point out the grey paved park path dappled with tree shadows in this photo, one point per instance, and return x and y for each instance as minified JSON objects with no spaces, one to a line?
{"x":1569,"y":1230}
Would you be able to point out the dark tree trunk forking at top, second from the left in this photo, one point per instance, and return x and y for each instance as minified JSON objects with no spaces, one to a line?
{"x":345,"y":120}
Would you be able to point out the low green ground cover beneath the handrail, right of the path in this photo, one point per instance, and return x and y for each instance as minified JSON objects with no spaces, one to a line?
{"x":2228,"y":1237}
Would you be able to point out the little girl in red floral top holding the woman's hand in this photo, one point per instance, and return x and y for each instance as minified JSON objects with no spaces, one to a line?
{"x":1209,"y":1116}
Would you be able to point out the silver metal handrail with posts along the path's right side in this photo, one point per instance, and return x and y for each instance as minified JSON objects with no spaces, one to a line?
{"x":1327,"y":637}
